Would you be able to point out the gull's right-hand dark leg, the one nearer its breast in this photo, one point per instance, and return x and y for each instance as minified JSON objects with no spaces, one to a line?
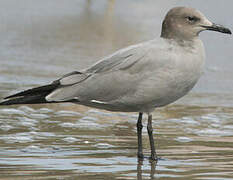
{"x":150,"y":133}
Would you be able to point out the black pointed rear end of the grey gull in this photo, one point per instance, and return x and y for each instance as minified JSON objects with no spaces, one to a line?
{"x":31,"y":96}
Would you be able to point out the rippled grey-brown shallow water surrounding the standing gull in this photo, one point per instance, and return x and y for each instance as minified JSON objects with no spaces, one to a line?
{"x":42,"y":40}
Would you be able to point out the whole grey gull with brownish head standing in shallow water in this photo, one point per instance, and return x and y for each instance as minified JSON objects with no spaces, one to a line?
{"x":138,"y":78}
